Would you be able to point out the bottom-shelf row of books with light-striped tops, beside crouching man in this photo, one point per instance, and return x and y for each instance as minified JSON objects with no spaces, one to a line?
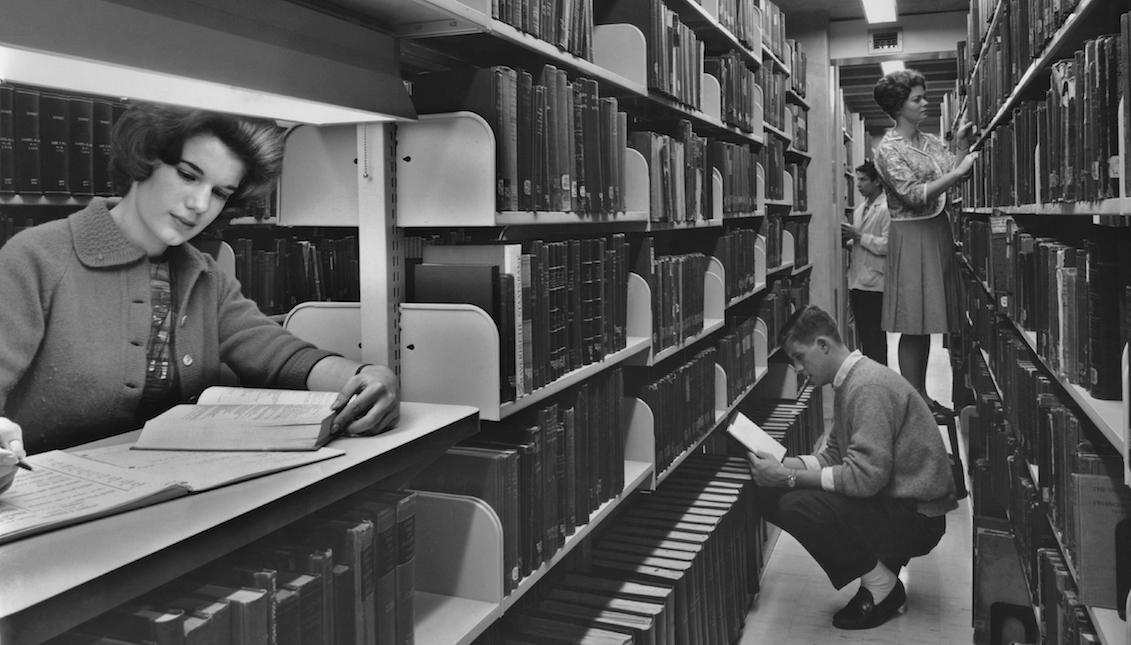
{"x":680,"y":567}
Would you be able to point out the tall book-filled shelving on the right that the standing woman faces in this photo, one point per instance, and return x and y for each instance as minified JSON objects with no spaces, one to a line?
{"x":1028,"y":187}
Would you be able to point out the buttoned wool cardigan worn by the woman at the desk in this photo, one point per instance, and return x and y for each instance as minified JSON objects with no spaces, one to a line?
{"x":75,"y":317}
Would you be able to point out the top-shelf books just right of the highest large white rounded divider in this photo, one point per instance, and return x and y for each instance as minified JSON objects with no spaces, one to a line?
{"x":676,"y":54}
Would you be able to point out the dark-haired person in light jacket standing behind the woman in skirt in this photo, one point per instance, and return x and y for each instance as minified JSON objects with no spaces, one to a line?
{"x":868,"y":236}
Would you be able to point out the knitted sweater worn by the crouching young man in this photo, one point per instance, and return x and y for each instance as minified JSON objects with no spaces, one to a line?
{"x":885,"y":442}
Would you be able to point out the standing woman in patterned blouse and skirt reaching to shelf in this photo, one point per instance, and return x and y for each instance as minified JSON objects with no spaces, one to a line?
{"x":921,"y":279}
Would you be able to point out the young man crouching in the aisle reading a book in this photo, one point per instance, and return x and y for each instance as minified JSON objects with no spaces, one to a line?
{"x":878,"y":494}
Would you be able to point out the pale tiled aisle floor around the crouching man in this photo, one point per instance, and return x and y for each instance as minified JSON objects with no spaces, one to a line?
{"x":797,"y":604}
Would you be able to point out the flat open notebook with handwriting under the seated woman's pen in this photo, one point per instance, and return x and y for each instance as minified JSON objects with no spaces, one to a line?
{"x":67,"y":488}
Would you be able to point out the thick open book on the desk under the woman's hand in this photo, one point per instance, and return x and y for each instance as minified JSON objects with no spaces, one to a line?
{"x":244,"y":419}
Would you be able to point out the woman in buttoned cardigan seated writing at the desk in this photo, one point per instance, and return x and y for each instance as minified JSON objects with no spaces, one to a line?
{"x":110,"y":319}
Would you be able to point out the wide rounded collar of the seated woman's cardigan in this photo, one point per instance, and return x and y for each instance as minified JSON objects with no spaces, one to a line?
{"x":100,"y":244}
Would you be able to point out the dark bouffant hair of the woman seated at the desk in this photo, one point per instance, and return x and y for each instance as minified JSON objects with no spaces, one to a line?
{"x":151,"y":134}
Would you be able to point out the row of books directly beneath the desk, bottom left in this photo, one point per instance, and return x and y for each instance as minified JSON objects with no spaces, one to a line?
{"x":344,"y":575}
